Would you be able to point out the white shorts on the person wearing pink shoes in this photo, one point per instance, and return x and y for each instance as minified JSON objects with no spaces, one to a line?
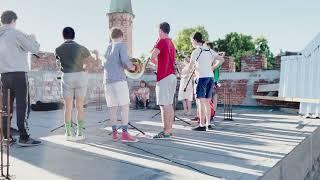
{"x":117,"y":94}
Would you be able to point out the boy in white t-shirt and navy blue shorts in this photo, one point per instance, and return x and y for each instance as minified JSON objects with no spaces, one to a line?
{"x":204,"y":60}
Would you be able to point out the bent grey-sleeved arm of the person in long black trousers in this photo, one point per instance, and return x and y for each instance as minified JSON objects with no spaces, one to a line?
{"x":28,"y":43}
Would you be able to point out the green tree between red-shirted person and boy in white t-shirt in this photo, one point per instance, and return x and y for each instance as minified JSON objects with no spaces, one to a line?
{"x":183,"y":43}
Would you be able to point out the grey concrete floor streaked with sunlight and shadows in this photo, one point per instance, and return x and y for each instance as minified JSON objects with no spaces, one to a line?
{"x":242,"y":149}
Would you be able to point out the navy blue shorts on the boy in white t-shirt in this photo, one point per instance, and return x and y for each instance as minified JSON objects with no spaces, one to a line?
{"x":205,"y":88}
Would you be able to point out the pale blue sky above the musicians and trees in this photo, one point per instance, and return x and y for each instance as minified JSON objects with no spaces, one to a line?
{"x":287,"y":24}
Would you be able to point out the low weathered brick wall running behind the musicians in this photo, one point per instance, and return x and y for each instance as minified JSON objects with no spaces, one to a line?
{"x":45,"y":86}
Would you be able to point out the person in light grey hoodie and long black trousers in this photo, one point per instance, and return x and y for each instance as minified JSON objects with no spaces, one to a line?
{"x":14,"y":48}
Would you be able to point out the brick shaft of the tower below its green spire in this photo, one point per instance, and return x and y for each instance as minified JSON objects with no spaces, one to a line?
{"x":124,"y":21}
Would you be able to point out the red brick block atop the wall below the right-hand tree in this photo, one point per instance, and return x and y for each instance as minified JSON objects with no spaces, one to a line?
{"x":253,"y":63}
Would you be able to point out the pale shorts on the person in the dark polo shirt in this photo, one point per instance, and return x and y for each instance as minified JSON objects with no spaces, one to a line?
{"x":74,"y":84}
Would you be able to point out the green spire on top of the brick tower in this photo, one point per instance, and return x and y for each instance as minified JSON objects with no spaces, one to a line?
{"x":120,"y":6}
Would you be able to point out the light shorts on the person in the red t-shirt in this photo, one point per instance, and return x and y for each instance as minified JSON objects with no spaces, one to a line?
{"x":166,"y":89}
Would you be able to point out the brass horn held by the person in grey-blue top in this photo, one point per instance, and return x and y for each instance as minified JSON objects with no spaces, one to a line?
{"x":140,"y":68}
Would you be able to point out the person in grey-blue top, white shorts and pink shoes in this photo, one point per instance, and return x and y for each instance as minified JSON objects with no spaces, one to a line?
{"x":116,"y":86}
